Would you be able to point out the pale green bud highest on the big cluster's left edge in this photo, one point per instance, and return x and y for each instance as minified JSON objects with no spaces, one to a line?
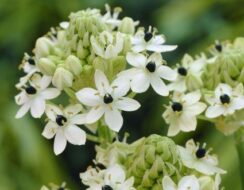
{"x":43,"y":47}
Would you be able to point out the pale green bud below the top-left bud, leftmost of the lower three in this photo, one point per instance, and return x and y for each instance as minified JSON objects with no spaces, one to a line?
{"x":46,"y":66}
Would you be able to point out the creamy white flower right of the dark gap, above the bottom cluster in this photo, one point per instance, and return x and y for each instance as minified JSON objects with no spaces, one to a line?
{"x":181,"y":114}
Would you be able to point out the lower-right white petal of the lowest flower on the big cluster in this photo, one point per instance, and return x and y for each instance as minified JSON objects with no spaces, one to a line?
{"x":75,"y":135}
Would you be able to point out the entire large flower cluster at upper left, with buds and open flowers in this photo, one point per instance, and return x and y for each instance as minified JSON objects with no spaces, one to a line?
{"x":85,"y":61}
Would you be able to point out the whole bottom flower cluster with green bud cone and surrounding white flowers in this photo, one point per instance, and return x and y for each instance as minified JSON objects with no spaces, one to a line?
{"x":155,"y":163}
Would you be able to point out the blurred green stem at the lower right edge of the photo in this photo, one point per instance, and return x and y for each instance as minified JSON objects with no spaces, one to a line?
{"x":239,"y":140}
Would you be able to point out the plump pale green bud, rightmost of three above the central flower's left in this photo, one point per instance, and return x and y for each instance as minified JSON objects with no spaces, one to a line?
{"x":73,"y":64}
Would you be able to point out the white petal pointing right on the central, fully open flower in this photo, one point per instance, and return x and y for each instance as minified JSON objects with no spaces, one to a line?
{"x":127,"y":104}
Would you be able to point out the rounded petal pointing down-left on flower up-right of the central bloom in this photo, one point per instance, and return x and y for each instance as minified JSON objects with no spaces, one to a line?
{"x":140,"y":83}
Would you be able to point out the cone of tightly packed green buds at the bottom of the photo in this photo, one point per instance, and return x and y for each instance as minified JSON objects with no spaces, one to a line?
{"x":155,"y":157}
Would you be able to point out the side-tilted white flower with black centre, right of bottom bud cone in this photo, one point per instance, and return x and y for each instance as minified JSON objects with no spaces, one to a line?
{"x":198,"y":158}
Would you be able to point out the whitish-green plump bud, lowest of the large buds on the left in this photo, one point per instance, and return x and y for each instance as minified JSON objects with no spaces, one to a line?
{"x":62,"y":78}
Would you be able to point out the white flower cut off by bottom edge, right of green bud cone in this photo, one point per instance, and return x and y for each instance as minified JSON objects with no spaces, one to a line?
{"x":185,"y":183}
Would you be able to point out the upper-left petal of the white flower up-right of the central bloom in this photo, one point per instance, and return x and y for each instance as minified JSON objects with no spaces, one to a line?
{"x":136,"y":59}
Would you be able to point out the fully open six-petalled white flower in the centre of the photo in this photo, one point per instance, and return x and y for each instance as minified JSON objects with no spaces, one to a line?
{"x":107,"y":100}
